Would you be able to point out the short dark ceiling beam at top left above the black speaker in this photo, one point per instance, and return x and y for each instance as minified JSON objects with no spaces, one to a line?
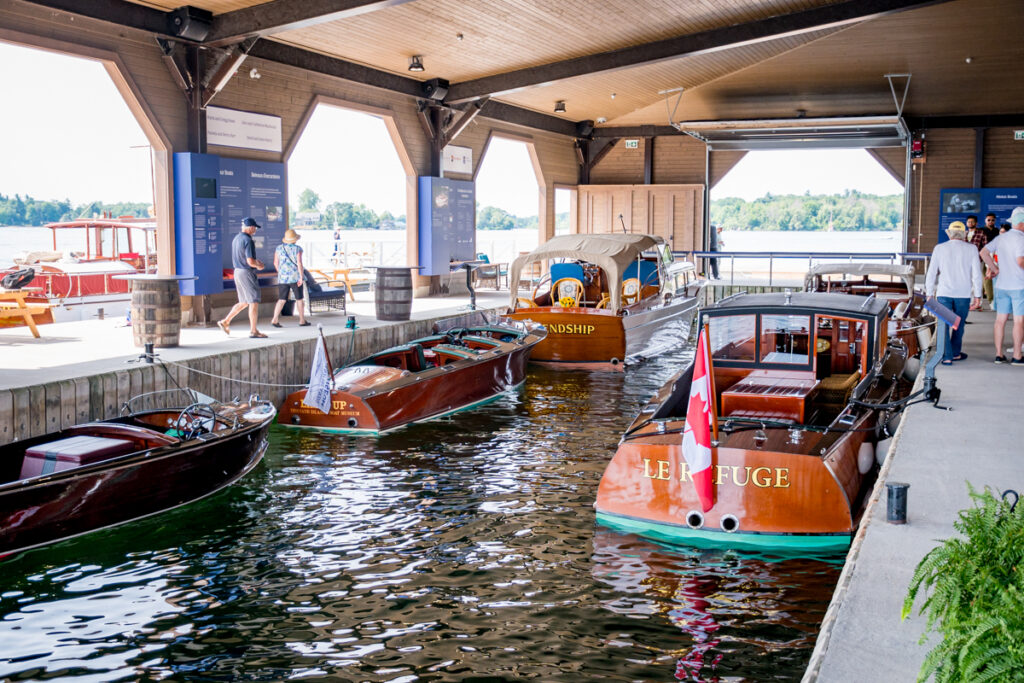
{"x":278,"y":16}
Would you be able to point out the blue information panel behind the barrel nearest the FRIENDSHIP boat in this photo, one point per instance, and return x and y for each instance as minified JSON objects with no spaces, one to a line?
{"x":448,"y":224}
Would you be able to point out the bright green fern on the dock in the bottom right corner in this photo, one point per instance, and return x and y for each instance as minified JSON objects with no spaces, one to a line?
{"x":977,"y":596}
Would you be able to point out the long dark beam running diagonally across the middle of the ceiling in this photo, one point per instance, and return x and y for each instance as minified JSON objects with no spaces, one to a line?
{"x":700,"y":44}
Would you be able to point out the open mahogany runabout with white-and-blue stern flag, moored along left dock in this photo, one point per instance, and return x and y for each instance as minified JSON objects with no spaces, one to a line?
{"x":428,"y":378}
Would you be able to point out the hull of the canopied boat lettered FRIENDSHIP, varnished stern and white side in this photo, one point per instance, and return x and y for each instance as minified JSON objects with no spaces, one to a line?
{"x":601,"y":339}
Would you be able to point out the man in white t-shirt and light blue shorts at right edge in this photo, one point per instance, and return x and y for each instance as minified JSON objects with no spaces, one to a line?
{"x":1009,"y":249}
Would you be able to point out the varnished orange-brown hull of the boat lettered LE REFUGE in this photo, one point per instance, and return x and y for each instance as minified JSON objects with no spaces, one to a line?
{"x":776,"y":498}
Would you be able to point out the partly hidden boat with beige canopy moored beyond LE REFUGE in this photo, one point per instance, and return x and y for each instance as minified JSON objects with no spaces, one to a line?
{"x":909,"y":320}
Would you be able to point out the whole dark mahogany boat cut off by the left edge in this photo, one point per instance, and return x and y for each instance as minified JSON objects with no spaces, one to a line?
{"x":101,"y":475}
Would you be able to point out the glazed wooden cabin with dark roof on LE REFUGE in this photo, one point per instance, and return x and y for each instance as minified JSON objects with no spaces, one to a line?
{"x":793,"y":358}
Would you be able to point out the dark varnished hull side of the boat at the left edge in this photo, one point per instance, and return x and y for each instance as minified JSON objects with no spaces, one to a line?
{"x":46,"y":509}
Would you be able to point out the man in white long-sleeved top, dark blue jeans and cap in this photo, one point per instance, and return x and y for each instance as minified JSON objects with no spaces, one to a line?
{"x":955,"y":279}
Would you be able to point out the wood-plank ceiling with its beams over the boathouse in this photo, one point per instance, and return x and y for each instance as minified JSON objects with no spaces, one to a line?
{"x":609,"y":60}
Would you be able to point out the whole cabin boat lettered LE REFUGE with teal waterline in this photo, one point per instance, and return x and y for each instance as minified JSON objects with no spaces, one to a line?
{"x":805,"y":386}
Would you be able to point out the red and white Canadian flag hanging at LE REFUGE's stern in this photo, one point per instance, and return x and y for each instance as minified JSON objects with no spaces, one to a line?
{"x":702,"y":421}
